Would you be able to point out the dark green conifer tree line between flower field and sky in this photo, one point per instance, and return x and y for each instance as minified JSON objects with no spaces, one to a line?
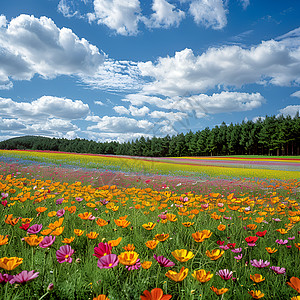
{"x":269,"y":136}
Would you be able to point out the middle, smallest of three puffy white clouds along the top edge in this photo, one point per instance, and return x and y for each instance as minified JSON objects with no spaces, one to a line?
{"x":165,"y":15}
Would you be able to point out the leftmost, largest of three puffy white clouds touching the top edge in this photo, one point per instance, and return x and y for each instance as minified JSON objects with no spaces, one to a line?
{"x":119,"y":15}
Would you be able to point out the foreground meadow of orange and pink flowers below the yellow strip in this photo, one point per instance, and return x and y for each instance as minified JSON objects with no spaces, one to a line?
{"x":98,"y":234}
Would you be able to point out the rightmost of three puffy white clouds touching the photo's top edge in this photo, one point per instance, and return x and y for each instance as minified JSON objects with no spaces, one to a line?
{"x":209,"y":13}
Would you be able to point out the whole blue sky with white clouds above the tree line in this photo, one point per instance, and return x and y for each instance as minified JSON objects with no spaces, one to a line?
{"x":116,"y":70}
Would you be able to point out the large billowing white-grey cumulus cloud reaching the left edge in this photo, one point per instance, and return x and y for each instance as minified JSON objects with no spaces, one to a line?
{"x":31,"y":45}
